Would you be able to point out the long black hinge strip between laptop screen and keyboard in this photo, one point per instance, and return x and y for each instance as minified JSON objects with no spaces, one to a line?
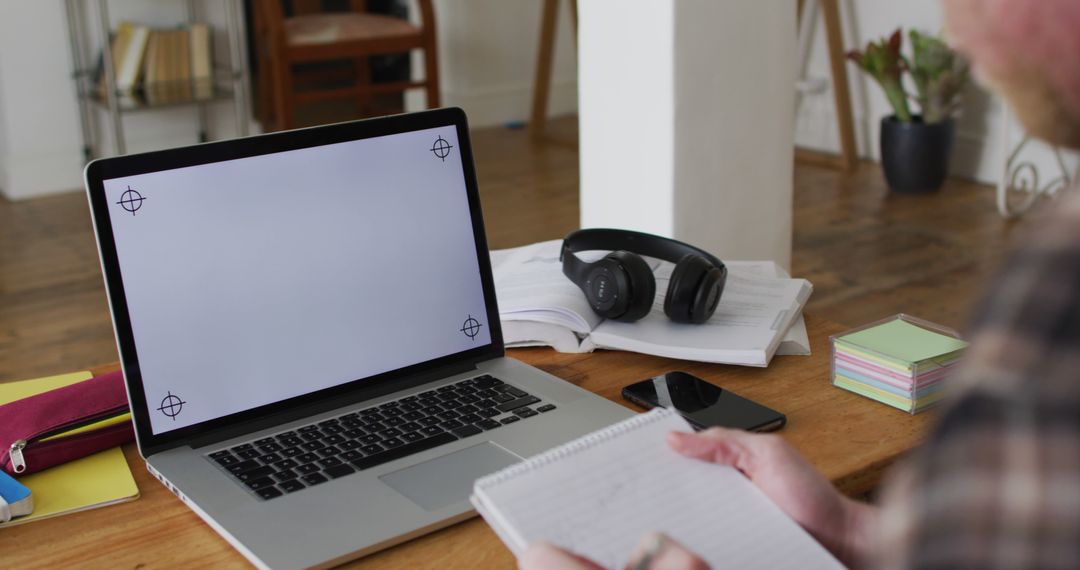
{"x":357,"y":397}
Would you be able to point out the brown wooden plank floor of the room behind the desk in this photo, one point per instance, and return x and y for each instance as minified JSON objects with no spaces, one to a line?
{"x":870,"y":254}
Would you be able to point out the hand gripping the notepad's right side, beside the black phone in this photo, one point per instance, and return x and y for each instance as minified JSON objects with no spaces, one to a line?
{"x":842,"y":525}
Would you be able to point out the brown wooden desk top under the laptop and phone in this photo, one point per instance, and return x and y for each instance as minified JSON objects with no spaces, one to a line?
{"x":848,"y":438}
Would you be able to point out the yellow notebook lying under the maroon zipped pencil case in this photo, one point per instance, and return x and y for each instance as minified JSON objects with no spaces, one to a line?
{"x":96,"y":481}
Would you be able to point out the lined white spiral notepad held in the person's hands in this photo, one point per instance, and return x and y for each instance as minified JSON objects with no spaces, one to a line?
{"x":598,"y":496}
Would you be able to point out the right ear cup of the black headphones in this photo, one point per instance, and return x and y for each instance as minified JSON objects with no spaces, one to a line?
{"x":693,"y":292}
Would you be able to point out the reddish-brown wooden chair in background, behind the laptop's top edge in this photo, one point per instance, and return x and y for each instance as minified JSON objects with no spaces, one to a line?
{"x":313,"y":36}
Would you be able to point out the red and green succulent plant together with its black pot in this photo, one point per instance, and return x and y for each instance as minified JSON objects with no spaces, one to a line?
{"x":916,"y":147}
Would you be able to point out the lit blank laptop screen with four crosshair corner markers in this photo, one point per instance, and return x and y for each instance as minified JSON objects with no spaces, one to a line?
{"x":262,"y":279}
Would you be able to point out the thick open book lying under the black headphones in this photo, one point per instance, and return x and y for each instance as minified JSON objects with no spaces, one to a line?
{"x":539,"y":306}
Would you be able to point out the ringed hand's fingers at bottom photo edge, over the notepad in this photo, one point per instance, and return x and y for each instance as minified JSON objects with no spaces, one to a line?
{"x":653,"y":552}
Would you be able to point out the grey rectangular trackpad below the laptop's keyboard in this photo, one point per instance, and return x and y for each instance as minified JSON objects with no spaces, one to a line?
{"x":449,"y":480}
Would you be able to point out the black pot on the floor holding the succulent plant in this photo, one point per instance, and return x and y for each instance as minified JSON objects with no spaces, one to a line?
{"x":915,"y":156}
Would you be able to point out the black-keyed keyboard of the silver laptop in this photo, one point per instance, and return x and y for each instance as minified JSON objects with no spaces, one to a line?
{"x":316,"y":454}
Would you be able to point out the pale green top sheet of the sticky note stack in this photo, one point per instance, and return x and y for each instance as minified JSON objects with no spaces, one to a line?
{"x":904,"y":342}
